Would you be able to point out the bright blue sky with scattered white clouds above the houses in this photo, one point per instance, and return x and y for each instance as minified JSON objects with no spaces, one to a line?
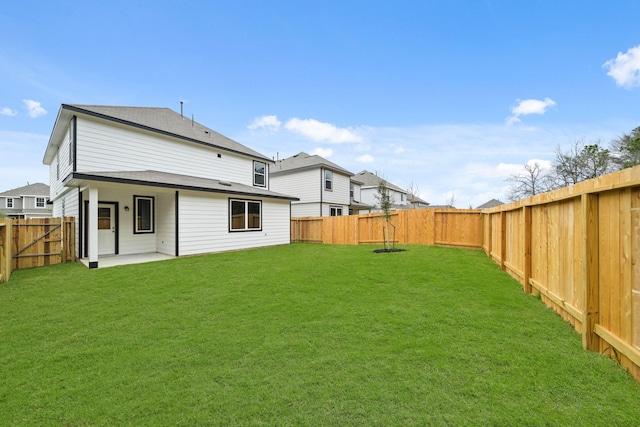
{"x":452,"y":96}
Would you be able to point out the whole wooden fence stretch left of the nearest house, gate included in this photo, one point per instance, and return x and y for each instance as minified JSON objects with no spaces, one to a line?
{"x":35,"y":242}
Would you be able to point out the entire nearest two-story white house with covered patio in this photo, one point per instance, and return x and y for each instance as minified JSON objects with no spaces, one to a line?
{"x":143,"y":180}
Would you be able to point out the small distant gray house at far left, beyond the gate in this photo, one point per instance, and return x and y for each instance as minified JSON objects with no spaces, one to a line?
{"x":29,"y":201}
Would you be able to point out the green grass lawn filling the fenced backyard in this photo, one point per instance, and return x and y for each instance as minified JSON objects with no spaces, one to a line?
{"x":297,"y":335}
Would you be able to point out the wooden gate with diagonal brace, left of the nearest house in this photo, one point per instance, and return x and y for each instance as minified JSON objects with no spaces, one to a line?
{"x":42,"y":241}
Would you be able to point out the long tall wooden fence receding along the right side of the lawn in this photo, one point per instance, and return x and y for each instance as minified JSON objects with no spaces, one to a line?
{"x":579,"y":248}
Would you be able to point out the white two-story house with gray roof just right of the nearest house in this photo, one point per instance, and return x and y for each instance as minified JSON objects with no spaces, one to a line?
{"x":322,"y":187}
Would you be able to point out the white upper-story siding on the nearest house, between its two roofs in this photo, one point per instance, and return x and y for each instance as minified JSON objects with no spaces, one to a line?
{"x":110,"y":147}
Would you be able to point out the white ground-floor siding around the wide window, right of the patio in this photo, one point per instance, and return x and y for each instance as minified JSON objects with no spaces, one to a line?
{"x":204,"y":224}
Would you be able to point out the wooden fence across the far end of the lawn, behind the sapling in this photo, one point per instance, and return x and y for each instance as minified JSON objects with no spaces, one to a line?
{"x":450,"y":227}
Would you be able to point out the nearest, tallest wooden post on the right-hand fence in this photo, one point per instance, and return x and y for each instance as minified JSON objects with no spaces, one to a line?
{"x":590,"y":271}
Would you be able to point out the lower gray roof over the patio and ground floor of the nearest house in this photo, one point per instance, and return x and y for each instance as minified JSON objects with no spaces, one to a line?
{"x":171,"y":180}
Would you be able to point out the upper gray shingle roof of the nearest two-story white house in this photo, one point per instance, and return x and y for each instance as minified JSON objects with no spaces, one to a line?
{"x":160,"y":120}
